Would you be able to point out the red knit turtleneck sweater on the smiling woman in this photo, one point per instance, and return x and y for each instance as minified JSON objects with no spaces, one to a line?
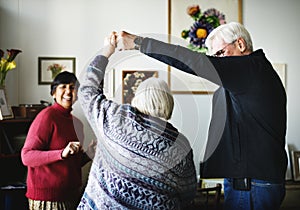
{"x":51,"y":178}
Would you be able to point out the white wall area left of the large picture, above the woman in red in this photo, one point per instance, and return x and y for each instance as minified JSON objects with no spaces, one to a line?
{"x":68,"y":28}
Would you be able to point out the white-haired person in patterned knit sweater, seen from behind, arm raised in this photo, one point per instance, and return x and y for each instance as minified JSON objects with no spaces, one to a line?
{"x":141,"y":160}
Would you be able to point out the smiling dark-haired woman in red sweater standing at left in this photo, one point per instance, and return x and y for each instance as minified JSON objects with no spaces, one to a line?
{"x":53,"y":150}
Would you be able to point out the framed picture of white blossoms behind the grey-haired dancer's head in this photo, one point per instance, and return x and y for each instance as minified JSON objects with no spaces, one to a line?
{"x":131,"y":80}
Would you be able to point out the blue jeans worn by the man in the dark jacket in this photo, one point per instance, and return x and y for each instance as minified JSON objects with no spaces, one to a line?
{"x":262,"y":196}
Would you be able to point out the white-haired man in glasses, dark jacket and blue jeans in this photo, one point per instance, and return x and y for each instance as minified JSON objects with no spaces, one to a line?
{"x":246,"y":139}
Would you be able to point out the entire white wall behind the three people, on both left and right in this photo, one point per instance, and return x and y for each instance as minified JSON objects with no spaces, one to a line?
{"x":77,"y":28}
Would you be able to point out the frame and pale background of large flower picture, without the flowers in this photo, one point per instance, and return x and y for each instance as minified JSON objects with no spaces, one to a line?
{"x":179,"y":20}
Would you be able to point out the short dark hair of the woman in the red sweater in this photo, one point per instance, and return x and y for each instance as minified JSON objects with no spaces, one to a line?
{"x":64,"y":77}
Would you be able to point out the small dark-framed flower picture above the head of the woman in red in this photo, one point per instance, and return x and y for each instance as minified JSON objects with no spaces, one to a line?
{"x":49,"y":67}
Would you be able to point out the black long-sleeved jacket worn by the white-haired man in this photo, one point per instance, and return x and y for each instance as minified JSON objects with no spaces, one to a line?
{"x":248,"y":124}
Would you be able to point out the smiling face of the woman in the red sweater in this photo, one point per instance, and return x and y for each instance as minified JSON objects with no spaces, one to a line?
{"x":65,"y":95}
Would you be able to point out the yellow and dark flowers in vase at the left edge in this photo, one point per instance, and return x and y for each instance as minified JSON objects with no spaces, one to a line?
{"x":7,"y":63}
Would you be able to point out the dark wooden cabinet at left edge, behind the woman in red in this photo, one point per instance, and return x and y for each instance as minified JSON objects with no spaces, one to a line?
{"x":13,"y":173}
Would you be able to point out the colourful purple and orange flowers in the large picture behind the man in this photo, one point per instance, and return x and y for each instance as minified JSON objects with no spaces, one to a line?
{"x":204,"y":23}
